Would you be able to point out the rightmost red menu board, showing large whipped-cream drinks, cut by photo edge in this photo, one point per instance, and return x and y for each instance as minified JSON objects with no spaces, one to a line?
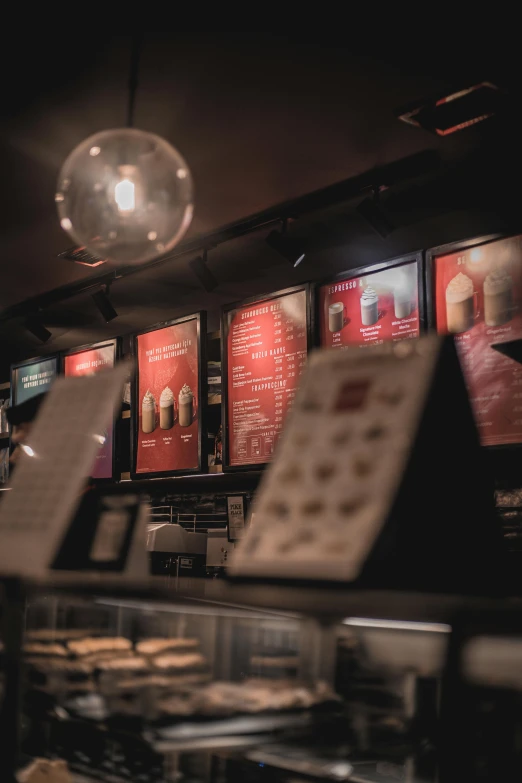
{"x":477,"y":289}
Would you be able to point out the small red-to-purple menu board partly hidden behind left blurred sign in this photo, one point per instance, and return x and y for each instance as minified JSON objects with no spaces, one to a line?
{"x":89,"y":361}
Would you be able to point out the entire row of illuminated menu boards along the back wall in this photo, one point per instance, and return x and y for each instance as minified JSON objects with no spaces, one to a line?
{"x":473,"y":289}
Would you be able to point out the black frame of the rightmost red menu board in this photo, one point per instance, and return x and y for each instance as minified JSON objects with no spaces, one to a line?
{"x":448,"y":249}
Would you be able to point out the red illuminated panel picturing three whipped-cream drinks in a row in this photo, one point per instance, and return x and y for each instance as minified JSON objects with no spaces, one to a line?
{"x":167,"y":398}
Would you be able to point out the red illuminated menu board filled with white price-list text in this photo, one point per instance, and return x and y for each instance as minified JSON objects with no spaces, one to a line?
{"x":265,"y":346}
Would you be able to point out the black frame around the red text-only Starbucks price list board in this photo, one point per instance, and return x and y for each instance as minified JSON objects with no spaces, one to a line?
{"x":308,"y":289}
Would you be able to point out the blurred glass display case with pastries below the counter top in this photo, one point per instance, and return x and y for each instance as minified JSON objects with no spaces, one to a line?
{"x":204,"y":683}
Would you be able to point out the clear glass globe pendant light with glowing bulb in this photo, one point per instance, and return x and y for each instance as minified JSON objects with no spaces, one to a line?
{"x":126,"y":195}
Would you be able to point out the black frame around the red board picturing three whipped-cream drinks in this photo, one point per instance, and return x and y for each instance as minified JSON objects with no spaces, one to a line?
{"x":201,"y":324}
